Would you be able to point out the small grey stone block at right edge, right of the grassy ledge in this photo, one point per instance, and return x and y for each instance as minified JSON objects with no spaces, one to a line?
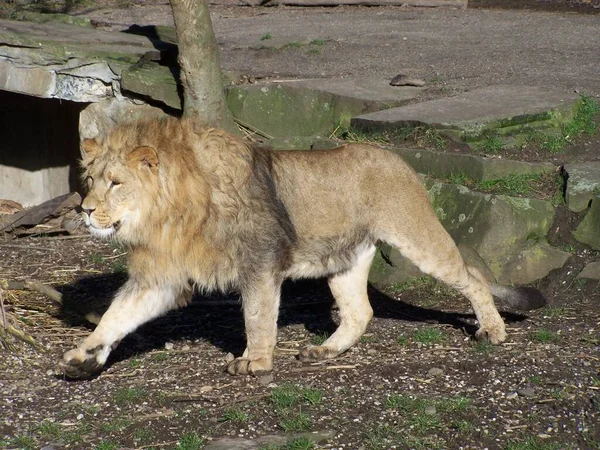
{"x":583,"y":184}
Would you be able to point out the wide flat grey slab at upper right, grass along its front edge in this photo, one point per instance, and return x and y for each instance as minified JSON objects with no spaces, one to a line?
{"x":503,"y":109}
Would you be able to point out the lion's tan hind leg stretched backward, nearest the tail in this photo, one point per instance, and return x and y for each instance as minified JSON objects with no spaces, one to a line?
{"x":434,"y":252}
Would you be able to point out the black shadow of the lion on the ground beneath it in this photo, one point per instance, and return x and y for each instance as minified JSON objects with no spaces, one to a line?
{"x":218,"y":318}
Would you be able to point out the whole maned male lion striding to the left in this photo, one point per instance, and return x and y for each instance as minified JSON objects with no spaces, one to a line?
{"x":200,"y":207}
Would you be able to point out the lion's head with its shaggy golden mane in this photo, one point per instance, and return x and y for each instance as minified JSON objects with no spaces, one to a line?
{"x":148,"y":180}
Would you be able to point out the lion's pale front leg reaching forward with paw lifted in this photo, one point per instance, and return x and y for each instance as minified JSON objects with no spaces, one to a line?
{"x":133,"y":306}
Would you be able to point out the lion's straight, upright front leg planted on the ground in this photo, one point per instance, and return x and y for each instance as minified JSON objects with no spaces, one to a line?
{"x":260,"y":299}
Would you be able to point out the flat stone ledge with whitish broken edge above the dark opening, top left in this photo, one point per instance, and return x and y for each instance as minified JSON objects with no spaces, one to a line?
{"x":69,"y":62}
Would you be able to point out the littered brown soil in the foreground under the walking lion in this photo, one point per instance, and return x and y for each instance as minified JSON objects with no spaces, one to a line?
{"x":415,"y":380}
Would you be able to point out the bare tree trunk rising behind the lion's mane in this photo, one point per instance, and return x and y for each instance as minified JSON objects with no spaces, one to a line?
{"x":200,"y":65}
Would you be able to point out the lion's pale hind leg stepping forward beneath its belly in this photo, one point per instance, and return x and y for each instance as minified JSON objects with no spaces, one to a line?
{"x":350,"y":292}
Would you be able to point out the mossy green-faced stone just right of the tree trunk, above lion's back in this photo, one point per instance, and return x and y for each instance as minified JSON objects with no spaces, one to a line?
{"x":311,"y":107}
